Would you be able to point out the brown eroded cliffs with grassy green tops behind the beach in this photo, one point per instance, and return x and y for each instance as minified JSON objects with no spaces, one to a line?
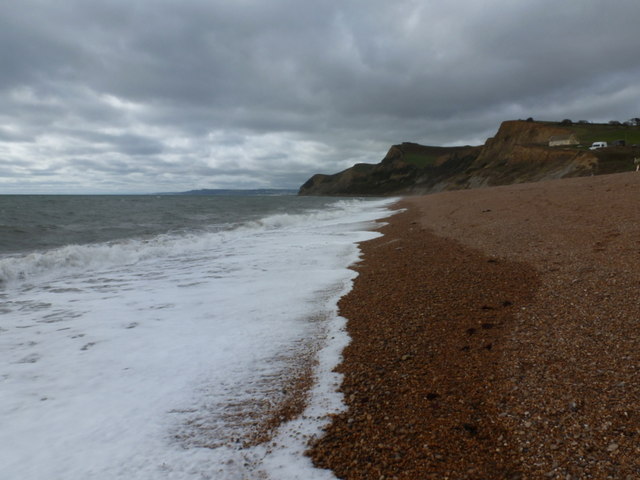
{"x":519,"y":152}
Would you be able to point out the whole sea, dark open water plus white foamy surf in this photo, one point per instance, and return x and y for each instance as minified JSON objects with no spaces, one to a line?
{"x":145,"y":337}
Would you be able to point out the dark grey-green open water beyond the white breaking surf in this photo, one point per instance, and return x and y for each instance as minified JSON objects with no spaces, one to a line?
{"x":36,"y":222}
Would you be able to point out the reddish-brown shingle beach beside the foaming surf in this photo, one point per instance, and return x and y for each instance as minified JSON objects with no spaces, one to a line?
{"x":495,"y":335}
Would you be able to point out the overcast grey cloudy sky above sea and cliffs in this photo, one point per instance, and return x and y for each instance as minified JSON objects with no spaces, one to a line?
{"x":143,"y":96}
